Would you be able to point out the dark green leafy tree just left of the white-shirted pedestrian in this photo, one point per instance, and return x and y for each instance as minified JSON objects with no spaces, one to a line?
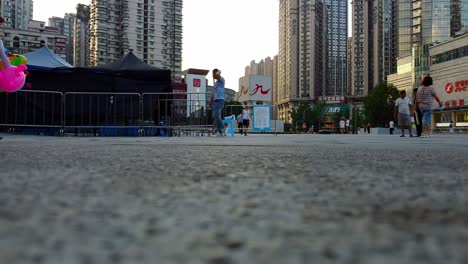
{"x":379,"y":104}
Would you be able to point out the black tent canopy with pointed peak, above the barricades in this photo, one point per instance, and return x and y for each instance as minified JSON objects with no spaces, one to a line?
{"x":128,"y":74}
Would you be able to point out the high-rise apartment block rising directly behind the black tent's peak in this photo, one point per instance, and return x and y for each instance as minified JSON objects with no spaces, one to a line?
{"x":151,"y":29}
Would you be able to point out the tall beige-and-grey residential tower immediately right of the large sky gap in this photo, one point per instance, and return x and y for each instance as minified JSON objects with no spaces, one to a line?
{"x":312,"y":59}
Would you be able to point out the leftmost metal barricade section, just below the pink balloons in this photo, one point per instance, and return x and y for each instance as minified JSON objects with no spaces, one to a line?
{"x":31,"y":109}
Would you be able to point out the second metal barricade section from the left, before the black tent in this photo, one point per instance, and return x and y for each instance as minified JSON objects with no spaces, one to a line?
{"x":102,"y":113}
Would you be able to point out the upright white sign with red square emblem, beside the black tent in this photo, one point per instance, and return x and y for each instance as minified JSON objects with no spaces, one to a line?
{"x":196,"y":93}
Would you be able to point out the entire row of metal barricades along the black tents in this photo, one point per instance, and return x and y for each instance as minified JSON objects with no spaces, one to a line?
{"x":101,"y":113}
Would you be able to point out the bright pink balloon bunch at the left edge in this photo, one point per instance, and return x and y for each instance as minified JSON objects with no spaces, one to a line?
{"x":12,"y":78}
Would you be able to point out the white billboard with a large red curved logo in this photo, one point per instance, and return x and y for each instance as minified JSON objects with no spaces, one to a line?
{"x":255,"y":88}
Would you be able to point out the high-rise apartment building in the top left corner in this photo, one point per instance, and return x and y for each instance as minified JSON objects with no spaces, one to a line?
{"x":16,"y":13}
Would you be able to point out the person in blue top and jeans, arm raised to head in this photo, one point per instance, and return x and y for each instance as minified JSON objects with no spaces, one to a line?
{"x":218,"y":102}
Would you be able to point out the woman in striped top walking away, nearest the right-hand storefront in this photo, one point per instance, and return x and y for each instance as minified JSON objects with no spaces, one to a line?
{"x":424,"y":100}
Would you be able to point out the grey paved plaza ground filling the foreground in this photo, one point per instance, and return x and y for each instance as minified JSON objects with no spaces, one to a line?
{"x":256,"y":199}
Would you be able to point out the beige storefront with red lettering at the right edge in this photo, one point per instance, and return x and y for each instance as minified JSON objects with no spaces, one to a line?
{"x":449,"y":71}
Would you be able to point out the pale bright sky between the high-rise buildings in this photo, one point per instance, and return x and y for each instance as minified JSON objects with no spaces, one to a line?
{"x":223,"y":34}
